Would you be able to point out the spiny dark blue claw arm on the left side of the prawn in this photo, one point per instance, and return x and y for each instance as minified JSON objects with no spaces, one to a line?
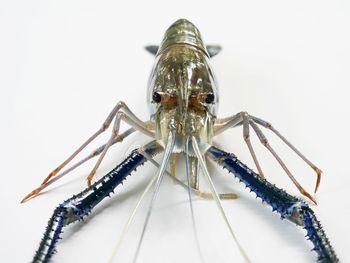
{"x":79,"y":206}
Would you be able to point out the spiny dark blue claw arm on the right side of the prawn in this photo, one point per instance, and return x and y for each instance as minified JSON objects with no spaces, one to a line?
{"x":289,"y":207}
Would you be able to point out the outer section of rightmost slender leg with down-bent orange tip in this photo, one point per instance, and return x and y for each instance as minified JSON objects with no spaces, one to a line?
{"x":270,"y":127}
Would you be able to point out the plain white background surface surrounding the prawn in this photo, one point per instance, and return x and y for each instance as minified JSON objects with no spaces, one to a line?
{"x":64,"y":65}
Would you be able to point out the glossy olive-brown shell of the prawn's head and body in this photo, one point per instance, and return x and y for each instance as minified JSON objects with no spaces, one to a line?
{"x":183,"y":78}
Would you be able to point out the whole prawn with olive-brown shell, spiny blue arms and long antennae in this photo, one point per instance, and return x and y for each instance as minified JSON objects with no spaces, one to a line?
{"x":183,"y":99}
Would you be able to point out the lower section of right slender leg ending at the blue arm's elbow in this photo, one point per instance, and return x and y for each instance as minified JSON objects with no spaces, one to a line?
{"x":265,"y":142}
